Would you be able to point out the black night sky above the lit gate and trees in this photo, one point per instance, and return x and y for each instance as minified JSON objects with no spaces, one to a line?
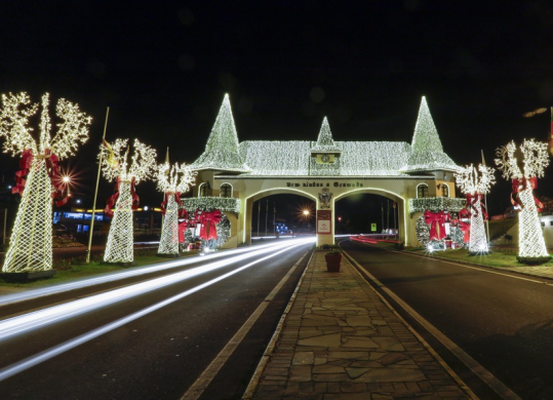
{"x":163,"y":68}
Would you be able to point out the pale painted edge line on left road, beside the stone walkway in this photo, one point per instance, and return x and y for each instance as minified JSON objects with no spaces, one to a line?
{"x":203,"y":381}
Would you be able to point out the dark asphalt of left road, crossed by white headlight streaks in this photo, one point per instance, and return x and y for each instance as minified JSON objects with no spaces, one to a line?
{"x":161,"y":354}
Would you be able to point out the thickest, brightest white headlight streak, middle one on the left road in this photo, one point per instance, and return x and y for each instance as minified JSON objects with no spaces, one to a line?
{"x":20,"y":324}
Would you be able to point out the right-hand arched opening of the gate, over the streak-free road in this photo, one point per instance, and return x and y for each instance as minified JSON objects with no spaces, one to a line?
{"x":388,"y":198}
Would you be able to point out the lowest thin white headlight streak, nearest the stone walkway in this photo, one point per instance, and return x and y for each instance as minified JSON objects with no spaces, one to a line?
{"x":52,"y":352}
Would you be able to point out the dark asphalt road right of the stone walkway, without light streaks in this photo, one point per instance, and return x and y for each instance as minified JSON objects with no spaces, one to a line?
{"x":502,"y":321}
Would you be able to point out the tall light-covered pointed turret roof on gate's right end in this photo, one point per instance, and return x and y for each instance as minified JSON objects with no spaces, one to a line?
{"x":427,"y":153}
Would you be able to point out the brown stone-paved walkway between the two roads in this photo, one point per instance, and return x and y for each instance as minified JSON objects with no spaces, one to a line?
{"x":341,"y":341}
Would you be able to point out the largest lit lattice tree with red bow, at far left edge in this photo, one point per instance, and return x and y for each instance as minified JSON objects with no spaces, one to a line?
{"x":30,"y":248}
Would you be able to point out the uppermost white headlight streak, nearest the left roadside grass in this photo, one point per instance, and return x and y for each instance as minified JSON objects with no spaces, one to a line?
{"x":65,"y":287}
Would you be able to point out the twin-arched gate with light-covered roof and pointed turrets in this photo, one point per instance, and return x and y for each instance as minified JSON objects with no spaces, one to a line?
{"x":324,"y":170}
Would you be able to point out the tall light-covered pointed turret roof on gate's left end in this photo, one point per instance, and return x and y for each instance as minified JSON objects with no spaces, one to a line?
{"x":221,"y":151}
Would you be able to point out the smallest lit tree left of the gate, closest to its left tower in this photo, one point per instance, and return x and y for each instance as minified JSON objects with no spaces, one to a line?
{"x":172,"y":180}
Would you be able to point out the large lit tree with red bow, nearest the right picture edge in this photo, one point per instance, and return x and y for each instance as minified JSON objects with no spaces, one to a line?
{"x":523,"y":166}
